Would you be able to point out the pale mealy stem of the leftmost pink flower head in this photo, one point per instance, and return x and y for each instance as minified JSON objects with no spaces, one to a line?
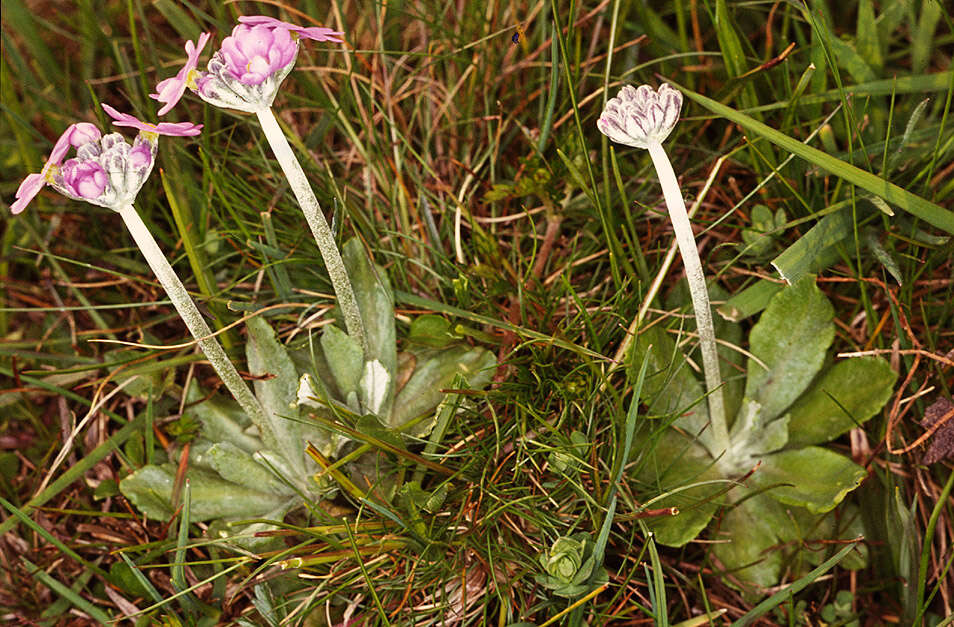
{"x":195,"y":322}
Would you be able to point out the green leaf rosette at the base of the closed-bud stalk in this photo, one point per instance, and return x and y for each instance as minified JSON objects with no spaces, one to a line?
{"x":791,"y":403}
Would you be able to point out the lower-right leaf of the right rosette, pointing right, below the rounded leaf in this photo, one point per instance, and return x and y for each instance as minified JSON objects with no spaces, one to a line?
{"x":811,"y":477}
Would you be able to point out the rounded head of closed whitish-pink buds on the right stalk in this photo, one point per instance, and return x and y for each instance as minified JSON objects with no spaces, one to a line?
{"x":639,"y":116}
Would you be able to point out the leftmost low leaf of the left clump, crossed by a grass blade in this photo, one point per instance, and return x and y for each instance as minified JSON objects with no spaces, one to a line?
{"x":150,"y":490}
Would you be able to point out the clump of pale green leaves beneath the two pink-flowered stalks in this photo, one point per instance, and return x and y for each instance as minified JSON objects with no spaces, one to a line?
{"x":235,"y":474}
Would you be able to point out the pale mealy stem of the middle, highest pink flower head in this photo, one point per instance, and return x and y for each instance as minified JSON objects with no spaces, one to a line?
{"x":317,"y":223}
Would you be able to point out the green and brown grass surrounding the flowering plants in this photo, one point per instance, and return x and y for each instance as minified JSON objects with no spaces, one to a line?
{"x":472,"y":170}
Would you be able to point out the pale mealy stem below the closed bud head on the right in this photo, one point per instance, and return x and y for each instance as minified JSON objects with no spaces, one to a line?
{"x":697,"y":289}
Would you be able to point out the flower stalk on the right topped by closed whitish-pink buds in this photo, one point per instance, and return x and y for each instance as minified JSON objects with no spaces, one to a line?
{"x":643,"y":118}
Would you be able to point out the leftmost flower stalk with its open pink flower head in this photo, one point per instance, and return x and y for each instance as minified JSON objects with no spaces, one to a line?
{"x":109,"y":172}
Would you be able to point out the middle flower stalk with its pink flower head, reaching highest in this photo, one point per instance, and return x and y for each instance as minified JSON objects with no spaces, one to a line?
{"x":245,"y":74}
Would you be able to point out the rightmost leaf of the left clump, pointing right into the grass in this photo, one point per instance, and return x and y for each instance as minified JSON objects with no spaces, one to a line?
{"x":435,"y":371}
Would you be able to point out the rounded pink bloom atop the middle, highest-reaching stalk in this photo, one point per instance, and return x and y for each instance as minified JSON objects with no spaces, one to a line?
{"x":253,"y":53}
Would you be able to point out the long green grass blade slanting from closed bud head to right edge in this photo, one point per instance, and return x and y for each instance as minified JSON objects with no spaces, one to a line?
{"x":891,"y":193}
